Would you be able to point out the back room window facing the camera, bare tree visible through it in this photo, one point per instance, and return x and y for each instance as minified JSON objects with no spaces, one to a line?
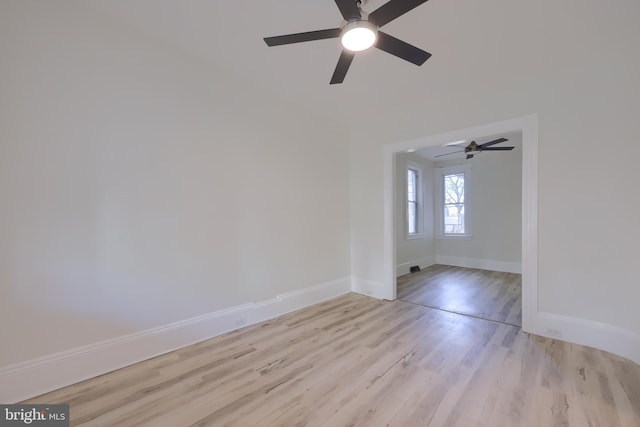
{"x":452,"y":198}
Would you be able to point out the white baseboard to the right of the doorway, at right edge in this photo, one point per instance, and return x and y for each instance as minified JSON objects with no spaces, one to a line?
{"x":613,"y":339}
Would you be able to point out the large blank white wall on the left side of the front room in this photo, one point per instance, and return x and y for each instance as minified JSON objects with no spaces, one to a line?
{"x":140,"y":186}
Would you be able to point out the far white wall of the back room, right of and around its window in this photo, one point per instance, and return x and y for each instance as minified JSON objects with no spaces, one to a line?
{"x":494,"y":208}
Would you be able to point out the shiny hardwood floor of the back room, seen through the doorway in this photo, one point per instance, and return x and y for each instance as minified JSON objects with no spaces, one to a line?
{"x":482,"y":293}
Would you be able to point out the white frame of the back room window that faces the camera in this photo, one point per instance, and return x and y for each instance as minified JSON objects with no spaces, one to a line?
{"x":439,"y":178}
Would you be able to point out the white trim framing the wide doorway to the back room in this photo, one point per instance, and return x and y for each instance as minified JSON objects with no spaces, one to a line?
{"x":528,"y":125}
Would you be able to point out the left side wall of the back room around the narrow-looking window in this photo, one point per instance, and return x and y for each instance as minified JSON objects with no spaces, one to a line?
{"x":419,"y":250}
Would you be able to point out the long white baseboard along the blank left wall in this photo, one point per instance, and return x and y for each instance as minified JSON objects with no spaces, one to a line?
{"x":32,"y":378}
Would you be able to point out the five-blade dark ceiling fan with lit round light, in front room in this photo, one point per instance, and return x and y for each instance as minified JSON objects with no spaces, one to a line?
{"x":360,"y":31}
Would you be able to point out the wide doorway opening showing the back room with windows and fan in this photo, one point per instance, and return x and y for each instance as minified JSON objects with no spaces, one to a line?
{"x":459,"y":221}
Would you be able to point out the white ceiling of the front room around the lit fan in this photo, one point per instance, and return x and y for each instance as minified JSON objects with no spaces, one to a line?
{"x":479,"y":49}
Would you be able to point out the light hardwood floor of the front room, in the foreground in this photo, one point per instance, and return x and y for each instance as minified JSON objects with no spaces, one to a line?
{"x":357,"y":361}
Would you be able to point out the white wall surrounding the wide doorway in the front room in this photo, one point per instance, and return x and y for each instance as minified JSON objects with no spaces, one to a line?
{"x":575,"y":63}
